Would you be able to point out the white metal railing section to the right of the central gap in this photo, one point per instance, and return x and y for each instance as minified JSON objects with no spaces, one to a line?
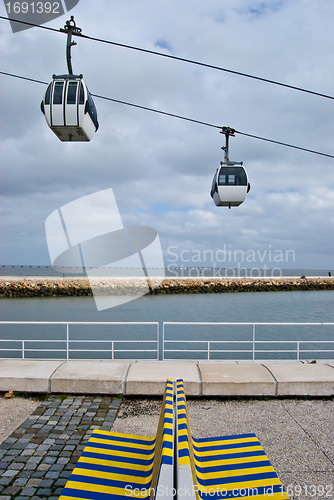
{"x":208,"y":348}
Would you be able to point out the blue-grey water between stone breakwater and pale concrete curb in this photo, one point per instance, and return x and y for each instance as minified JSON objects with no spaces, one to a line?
{"x":259,"y":307}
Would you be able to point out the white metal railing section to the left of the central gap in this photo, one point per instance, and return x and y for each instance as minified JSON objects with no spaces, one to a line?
{"x":67,"y":349}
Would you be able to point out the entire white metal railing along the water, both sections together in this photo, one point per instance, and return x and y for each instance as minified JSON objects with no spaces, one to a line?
{"x":208,"y":348}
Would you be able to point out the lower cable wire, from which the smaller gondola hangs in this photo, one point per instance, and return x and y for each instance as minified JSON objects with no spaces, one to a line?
{"x":180,"y":117}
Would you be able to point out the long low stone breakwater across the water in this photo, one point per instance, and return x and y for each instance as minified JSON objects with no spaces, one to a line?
{"x":59,"y":287}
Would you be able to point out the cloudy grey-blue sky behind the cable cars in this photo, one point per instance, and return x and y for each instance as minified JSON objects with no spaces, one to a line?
{"x":161,"y":168}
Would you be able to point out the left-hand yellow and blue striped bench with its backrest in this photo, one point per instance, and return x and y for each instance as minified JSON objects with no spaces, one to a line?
{"x":115,"y":465}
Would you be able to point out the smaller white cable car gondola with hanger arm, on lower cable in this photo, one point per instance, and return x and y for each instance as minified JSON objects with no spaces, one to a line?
{"x":230,"y":183}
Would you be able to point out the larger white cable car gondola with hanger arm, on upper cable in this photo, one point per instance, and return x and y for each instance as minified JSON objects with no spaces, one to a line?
{"x":68,"y":106}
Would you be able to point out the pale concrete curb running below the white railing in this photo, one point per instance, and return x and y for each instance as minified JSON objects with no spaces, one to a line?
{"x":139,"y":378}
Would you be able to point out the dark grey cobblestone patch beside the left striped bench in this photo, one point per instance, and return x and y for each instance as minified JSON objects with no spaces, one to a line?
{"x":38,"y":458}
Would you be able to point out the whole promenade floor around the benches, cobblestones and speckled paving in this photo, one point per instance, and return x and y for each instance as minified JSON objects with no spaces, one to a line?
{"x":37,"y":458}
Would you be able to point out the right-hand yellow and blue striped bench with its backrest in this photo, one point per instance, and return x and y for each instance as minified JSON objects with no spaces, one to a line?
{"x":221,"y":467}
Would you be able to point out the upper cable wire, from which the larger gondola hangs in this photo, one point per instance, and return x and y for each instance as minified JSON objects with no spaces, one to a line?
{"x":183,"y":59}
